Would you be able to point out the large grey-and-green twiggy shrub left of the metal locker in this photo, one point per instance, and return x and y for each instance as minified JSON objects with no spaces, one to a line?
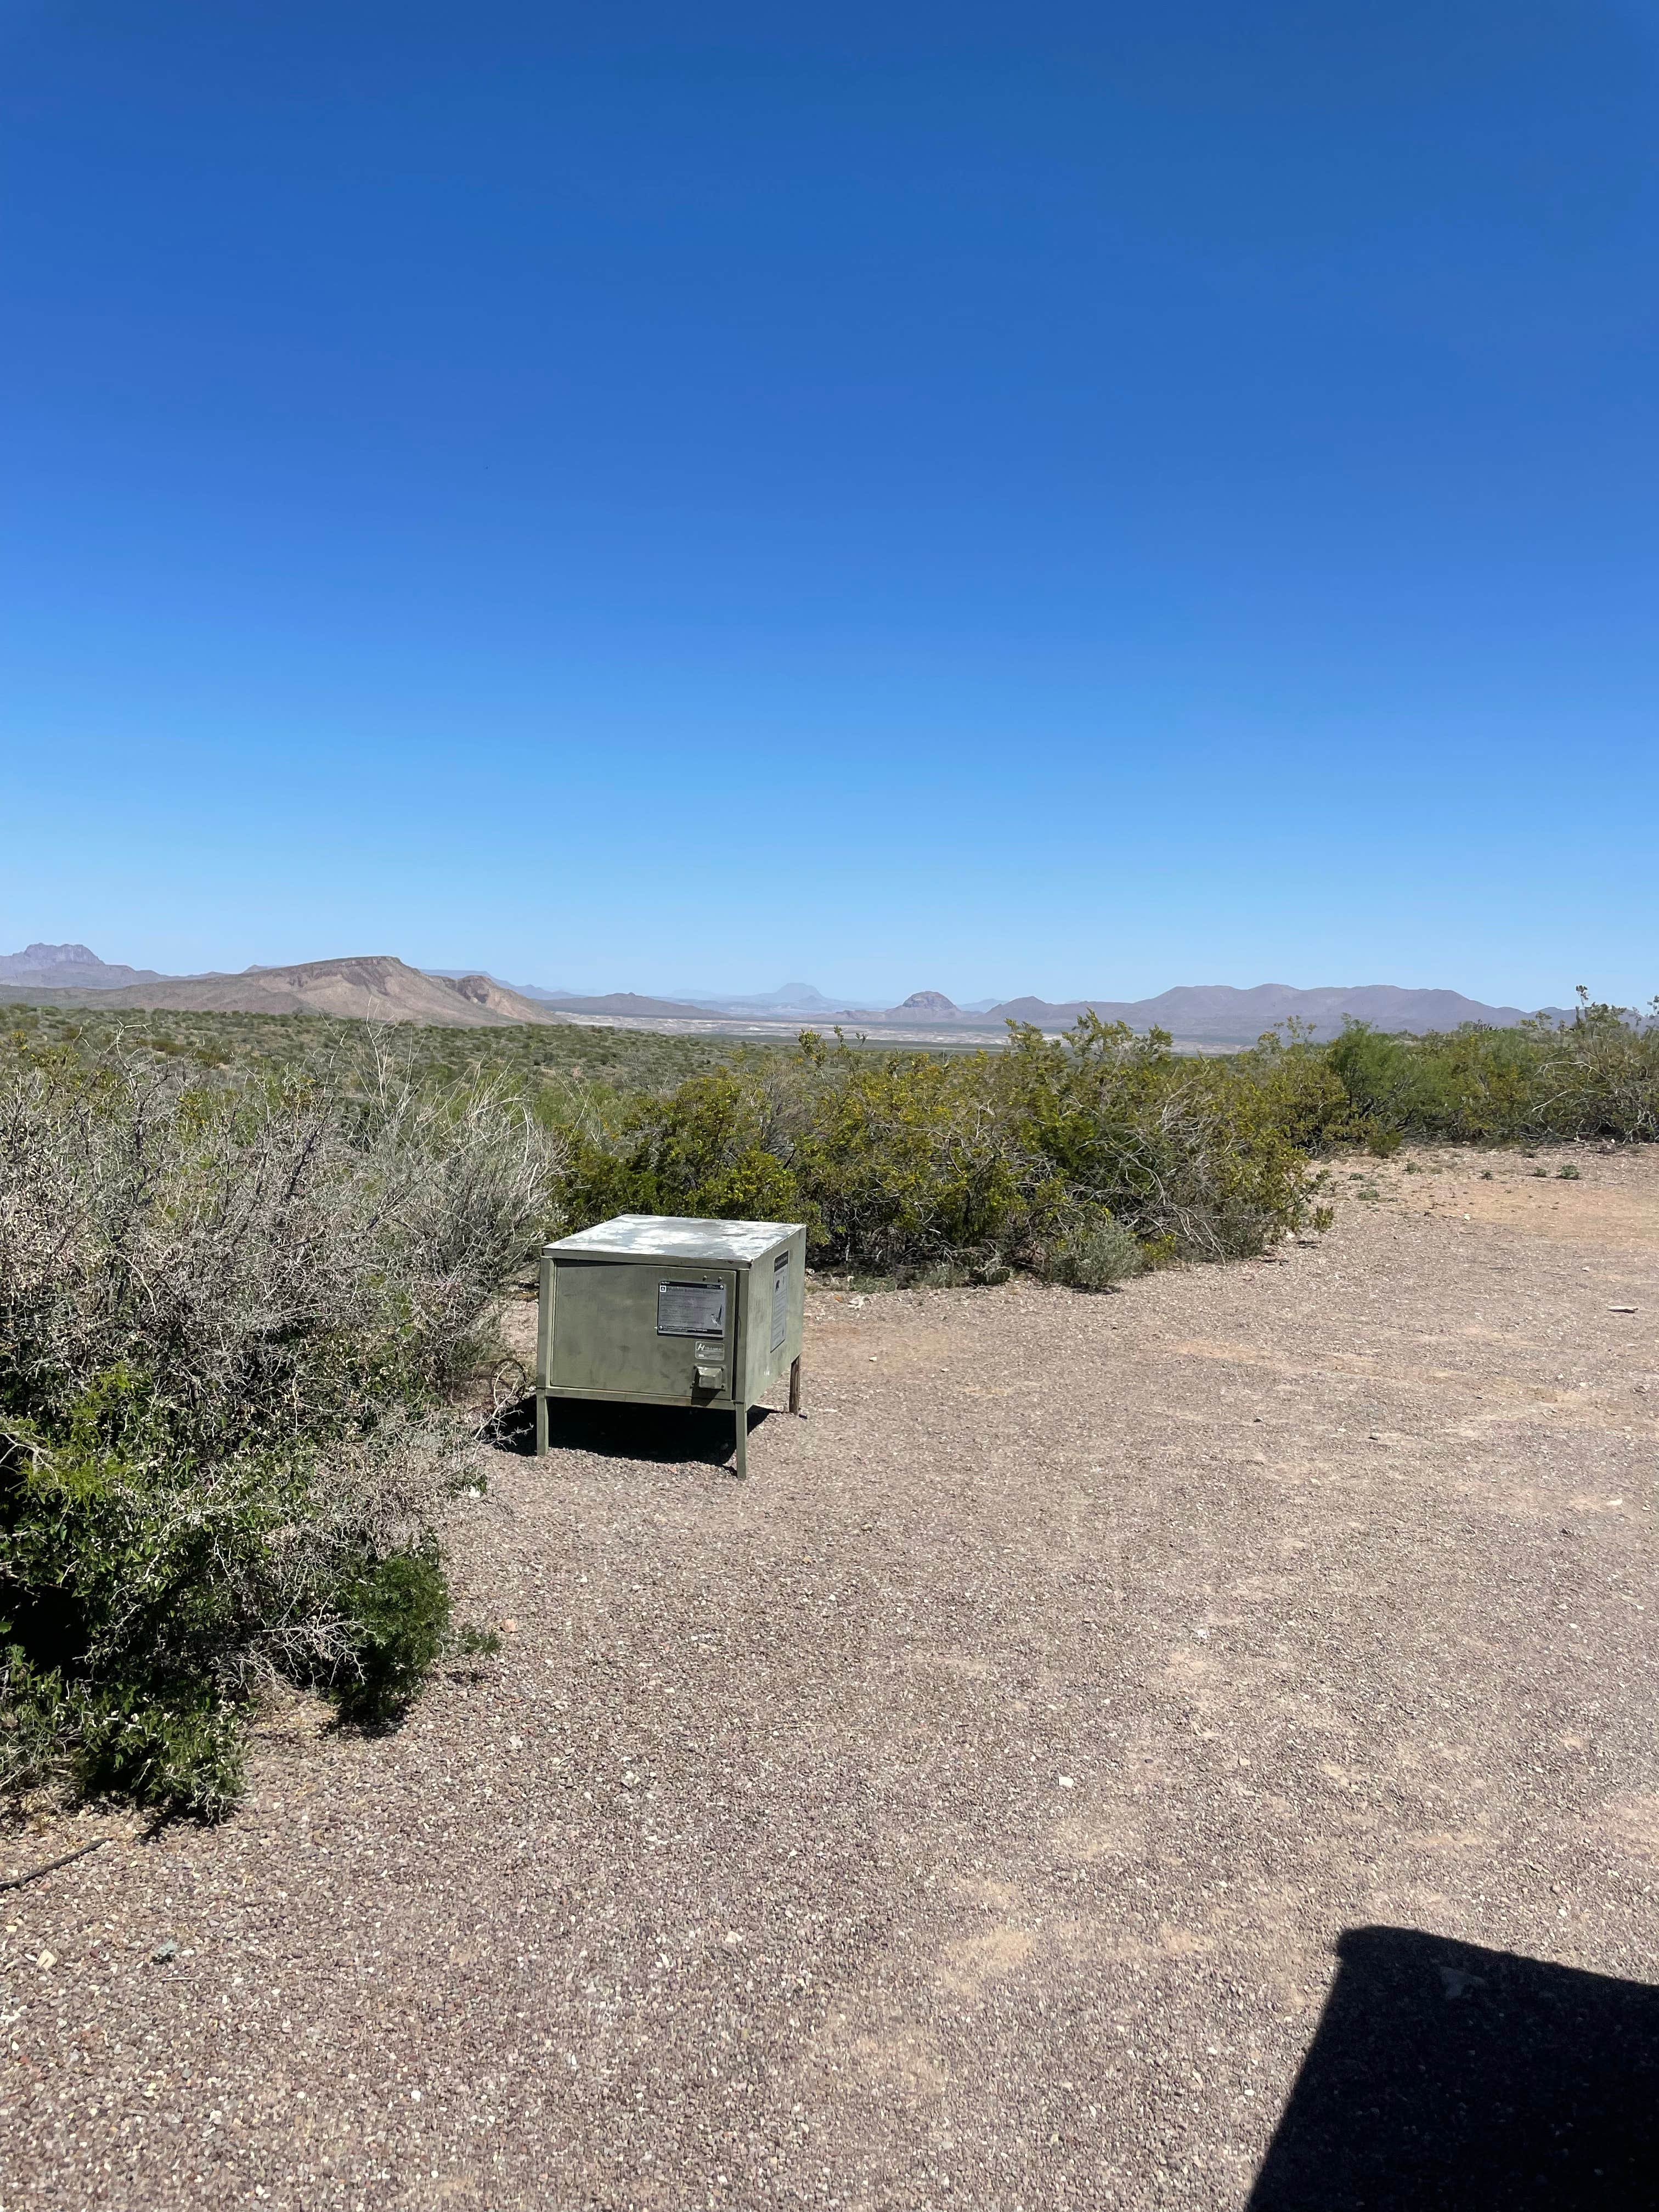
{"x":227,"y":1326}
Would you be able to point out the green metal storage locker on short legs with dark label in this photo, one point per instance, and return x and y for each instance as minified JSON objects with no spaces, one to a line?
{"x":660,"y":1311}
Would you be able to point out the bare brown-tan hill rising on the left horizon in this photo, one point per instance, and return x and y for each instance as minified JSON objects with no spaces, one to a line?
{"x":368,"y":988}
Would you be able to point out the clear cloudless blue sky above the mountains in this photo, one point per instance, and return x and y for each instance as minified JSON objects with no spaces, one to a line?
{"x":1054,"y":499}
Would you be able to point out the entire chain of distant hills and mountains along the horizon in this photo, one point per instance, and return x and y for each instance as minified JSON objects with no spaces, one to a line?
{"x":386,"y":990}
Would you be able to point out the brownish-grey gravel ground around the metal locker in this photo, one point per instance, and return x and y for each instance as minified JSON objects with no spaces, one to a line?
{"x":968,"y":1808}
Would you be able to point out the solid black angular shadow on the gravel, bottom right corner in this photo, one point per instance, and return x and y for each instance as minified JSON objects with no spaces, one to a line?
{"x":1450,"y":2076}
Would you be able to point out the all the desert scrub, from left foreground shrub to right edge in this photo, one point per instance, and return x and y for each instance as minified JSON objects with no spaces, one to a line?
{"x":249,"y":1262}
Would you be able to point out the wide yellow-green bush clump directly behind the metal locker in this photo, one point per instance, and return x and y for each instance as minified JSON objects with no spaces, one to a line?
{"x":1078,"y":1158}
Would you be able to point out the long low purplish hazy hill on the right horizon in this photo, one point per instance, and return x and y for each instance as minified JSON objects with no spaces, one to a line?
{"x":1224,"y":1014}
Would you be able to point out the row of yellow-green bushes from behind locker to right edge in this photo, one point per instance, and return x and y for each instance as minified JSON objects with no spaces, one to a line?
{"x":1081,"y":1158}
